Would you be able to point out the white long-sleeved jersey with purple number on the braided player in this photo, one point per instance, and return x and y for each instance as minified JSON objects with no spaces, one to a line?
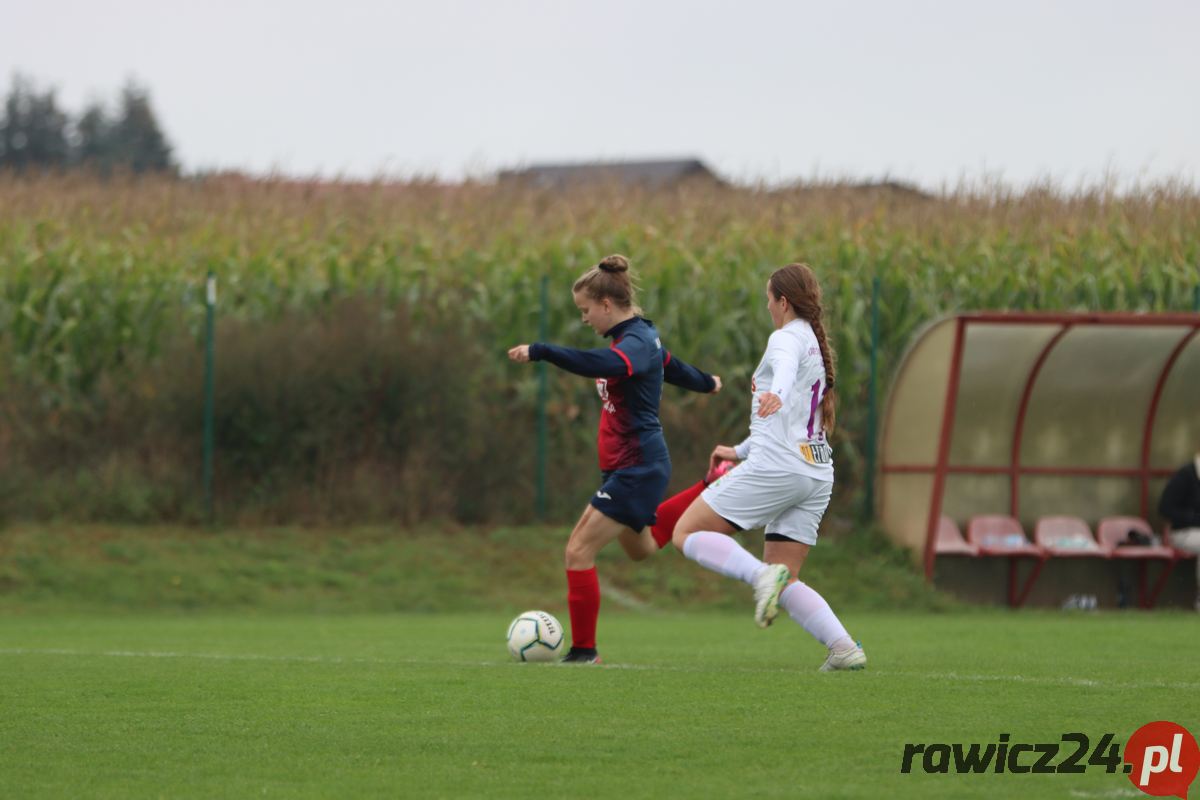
{"x":791,"y":440}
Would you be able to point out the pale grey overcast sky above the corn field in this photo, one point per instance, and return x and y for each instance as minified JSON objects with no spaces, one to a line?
{"x":916,"y":91}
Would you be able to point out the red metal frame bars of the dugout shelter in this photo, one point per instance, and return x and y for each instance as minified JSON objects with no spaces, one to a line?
{"x":1069,"y":322}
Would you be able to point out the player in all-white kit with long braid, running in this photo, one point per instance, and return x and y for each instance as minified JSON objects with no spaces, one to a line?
{"x":785,"y":479}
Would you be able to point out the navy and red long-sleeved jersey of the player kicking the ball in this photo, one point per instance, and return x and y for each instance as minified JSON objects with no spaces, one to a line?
{"x":629,"y":377}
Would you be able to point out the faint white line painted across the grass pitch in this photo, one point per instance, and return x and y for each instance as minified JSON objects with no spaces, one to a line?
{"x":1081,"y":683}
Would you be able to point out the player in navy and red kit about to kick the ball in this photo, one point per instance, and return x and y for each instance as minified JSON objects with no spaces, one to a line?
{"x":635,"y":465}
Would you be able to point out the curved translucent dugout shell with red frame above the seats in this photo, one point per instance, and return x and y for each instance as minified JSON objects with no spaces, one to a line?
{"x":1035,"y":416}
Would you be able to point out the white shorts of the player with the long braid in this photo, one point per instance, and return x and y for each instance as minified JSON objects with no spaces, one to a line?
{"x":783,"y":503}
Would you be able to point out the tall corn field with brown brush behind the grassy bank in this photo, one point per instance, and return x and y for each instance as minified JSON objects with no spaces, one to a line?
{"x":363,"y":328}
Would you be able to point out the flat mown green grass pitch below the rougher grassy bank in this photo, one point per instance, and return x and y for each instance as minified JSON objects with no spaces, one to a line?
{"x":689,"y":705}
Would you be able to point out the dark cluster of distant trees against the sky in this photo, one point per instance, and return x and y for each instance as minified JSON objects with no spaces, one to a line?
{"x":37,"y":135}
